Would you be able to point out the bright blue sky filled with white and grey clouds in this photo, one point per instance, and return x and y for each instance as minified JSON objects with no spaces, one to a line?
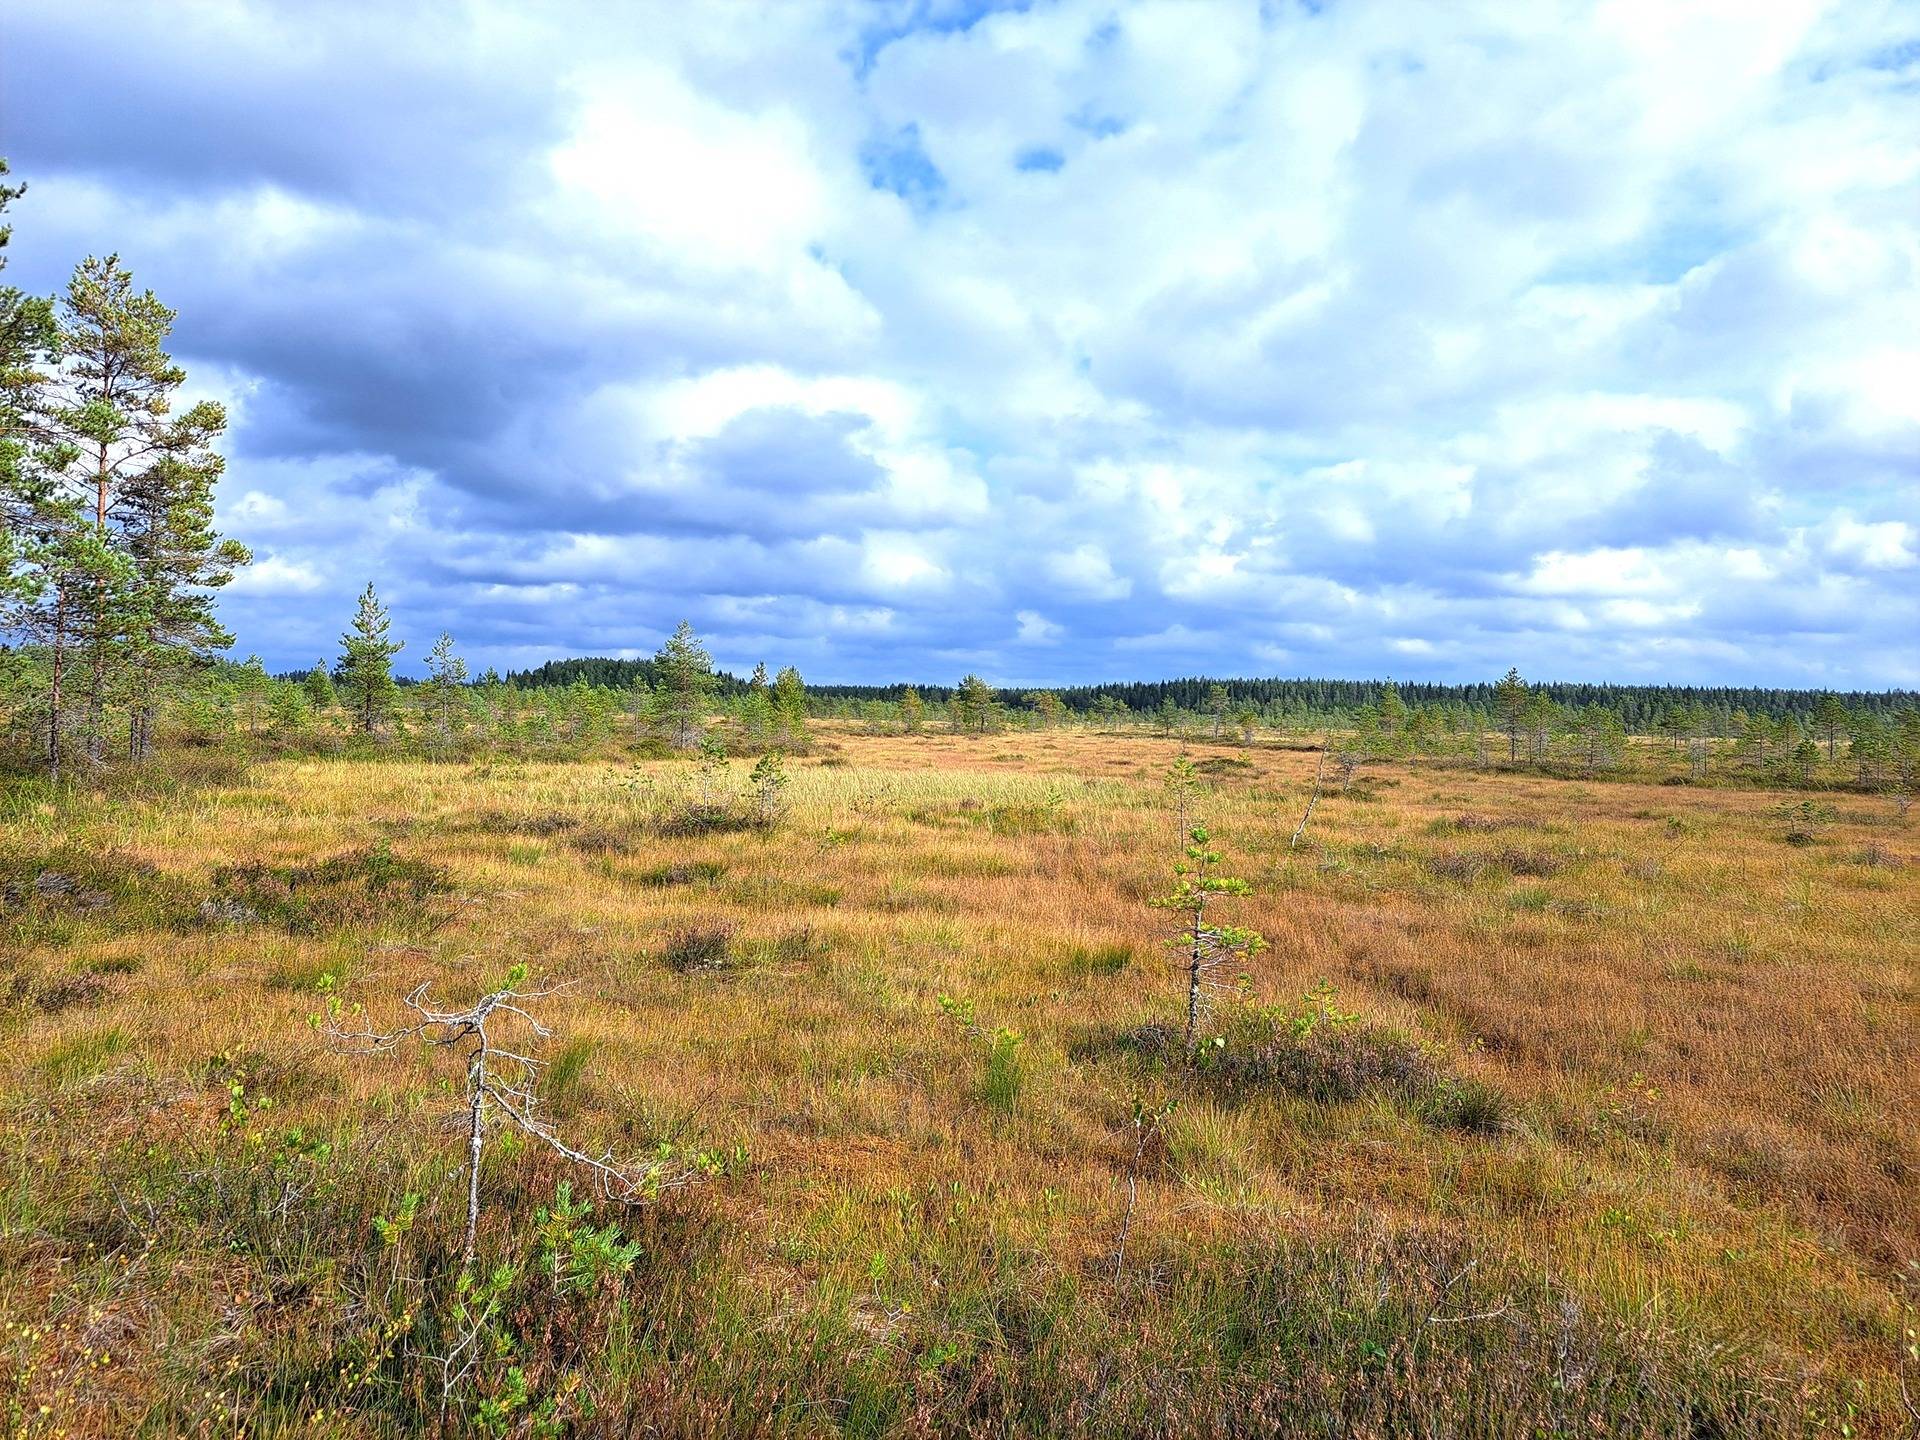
{"x":1057,"y":343}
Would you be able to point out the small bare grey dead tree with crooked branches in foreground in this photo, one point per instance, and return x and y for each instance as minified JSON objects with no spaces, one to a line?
{"x":500,"y":1080}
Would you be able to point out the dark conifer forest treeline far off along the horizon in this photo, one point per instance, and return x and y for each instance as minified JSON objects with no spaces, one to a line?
{"x":1641,"y":708}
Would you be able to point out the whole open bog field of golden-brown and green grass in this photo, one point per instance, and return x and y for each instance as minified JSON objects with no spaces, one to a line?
{"x":1685,"y":1197}
